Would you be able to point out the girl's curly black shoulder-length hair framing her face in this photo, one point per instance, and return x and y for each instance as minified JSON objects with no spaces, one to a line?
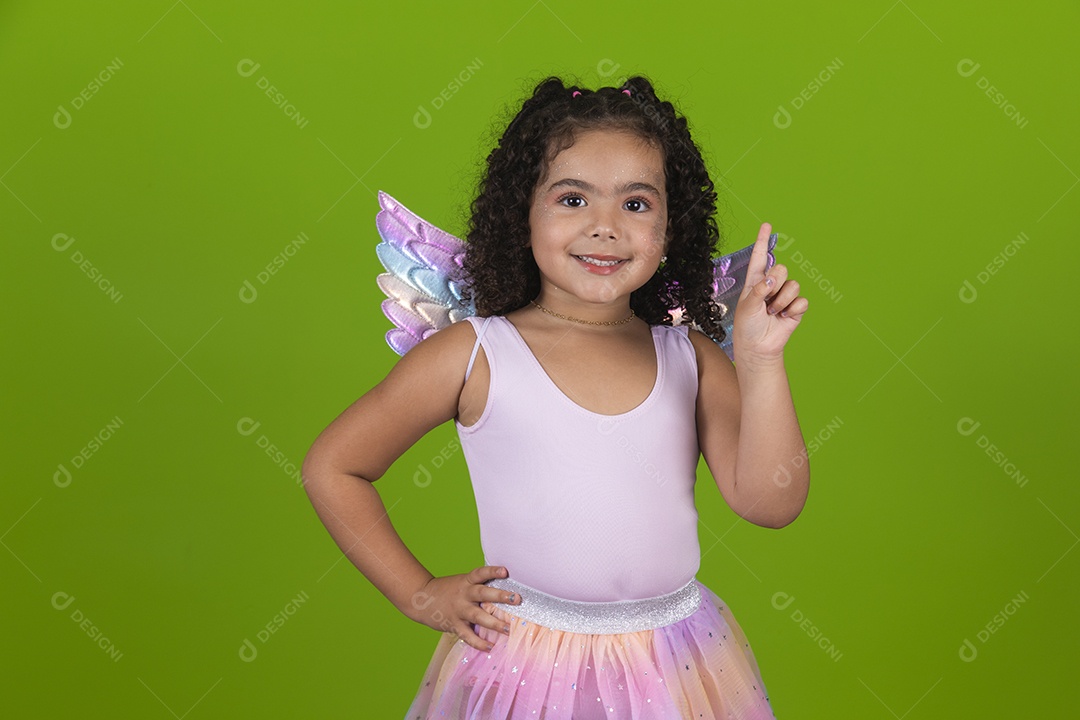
{"x":502,"y":275}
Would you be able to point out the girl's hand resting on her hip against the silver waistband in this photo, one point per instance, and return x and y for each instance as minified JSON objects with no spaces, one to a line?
{"x":454,"y":604}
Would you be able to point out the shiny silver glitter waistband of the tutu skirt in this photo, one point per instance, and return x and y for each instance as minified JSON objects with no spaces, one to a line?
{"x":600,"y":618}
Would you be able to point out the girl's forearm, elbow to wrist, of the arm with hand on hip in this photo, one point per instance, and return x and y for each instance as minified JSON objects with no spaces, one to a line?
{"x":354,"y":513}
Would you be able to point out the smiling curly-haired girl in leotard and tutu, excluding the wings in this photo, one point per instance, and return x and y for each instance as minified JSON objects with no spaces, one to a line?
{"x":583,"y":413}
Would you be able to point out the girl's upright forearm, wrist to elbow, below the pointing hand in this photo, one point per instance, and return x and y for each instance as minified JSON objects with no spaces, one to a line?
{"x":773,"y":473}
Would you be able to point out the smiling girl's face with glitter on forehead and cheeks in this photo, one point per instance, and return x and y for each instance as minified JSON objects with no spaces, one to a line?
{"x":599,"y":221}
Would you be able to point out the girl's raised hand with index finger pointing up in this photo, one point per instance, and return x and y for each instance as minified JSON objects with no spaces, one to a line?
{"x":769,"y":308}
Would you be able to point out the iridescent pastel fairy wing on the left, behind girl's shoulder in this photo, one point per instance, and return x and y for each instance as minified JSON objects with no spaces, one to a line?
{"x":424,"y":277}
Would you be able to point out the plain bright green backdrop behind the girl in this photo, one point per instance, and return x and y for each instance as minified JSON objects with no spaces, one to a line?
{"x":180,"y":180}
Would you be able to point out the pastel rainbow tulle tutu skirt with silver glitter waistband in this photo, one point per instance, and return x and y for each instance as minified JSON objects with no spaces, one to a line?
{"x":601,"y":664}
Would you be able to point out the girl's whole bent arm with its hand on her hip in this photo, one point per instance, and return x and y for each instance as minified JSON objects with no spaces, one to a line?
{"x":421,"y":393}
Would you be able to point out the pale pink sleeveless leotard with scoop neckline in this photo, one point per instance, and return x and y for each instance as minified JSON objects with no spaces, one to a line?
{"x":578,"y":505}
